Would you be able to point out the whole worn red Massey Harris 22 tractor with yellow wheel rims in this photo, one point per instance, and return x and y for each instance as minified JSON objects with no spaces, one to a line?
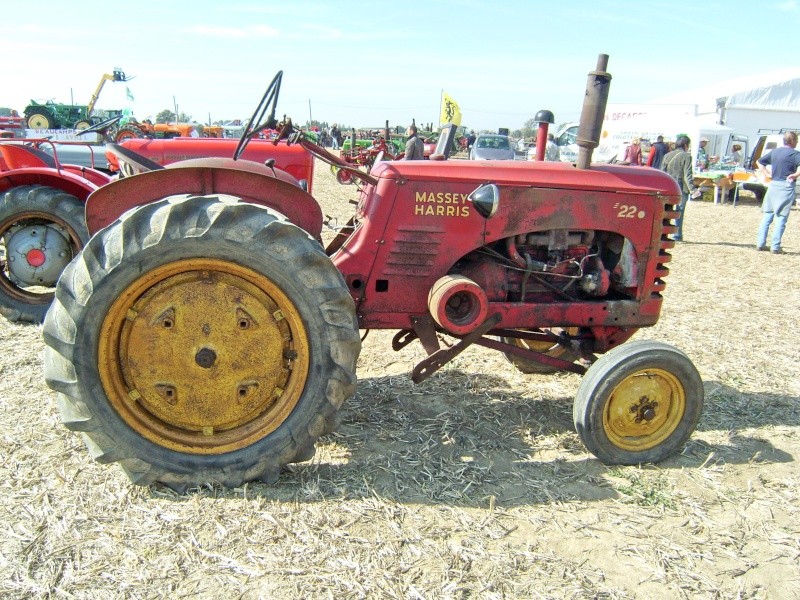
{"x":203,"y":333}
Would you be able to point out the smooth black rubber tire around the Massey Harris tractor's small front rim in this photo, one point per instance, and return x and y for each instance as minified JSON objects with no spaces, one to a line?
{"x":599,"y":383}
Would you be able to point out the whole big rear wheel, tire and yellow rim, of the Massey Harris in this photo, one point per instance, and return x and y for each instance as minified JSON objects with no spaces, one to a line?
{"x":201,"y":339}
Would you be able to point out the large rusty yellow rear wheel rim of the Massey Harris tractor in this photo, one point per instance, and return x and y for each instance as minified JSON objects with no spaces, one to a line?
{"x":203,"y":356}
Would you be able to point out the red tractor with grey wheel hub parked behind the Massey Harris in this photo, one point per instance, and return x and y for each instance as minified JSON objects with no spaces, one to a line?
{"x":42,"y":216}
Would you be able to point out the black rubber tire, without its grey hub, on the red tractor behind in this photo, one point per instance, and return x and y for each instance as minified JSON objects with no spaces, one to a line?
{"x":36,"y":204}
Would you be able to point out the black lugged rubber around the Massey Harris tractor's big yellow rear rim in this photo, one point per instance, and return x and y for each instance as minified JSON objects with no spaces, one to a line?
{"x":180,"y":228}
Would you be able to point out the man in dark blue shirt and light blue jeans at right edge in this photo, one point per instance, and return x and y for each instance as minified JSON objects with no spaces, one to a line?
{"x":778,"y":202}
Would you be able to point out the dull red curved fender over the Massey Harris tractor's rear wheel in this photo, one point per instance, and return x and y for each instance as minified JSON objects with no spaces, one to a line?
{"x":249,"y":181}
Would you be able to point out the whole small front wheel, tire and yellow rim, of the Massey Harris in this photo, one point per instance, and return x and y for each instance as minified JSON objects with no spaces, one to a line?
{"x":638,"y":403}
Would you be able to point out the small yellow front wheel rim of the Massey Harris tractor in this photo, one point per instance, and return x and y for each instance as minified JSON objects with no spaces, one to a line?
{"x":644,"y":410}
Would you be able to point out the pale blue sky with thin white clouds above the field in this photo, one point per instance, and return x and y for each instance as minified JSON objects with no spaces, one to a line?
{"x":360,"y":63}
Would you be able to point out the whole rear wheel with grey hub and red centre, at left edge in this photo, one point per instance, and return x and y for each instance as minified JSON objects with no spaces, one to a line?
{"x":41,"y":230}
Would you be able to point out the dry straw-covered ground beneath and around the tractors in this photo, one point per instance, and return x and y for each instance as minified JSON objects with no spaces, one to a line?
{"x":471,"y":485}
